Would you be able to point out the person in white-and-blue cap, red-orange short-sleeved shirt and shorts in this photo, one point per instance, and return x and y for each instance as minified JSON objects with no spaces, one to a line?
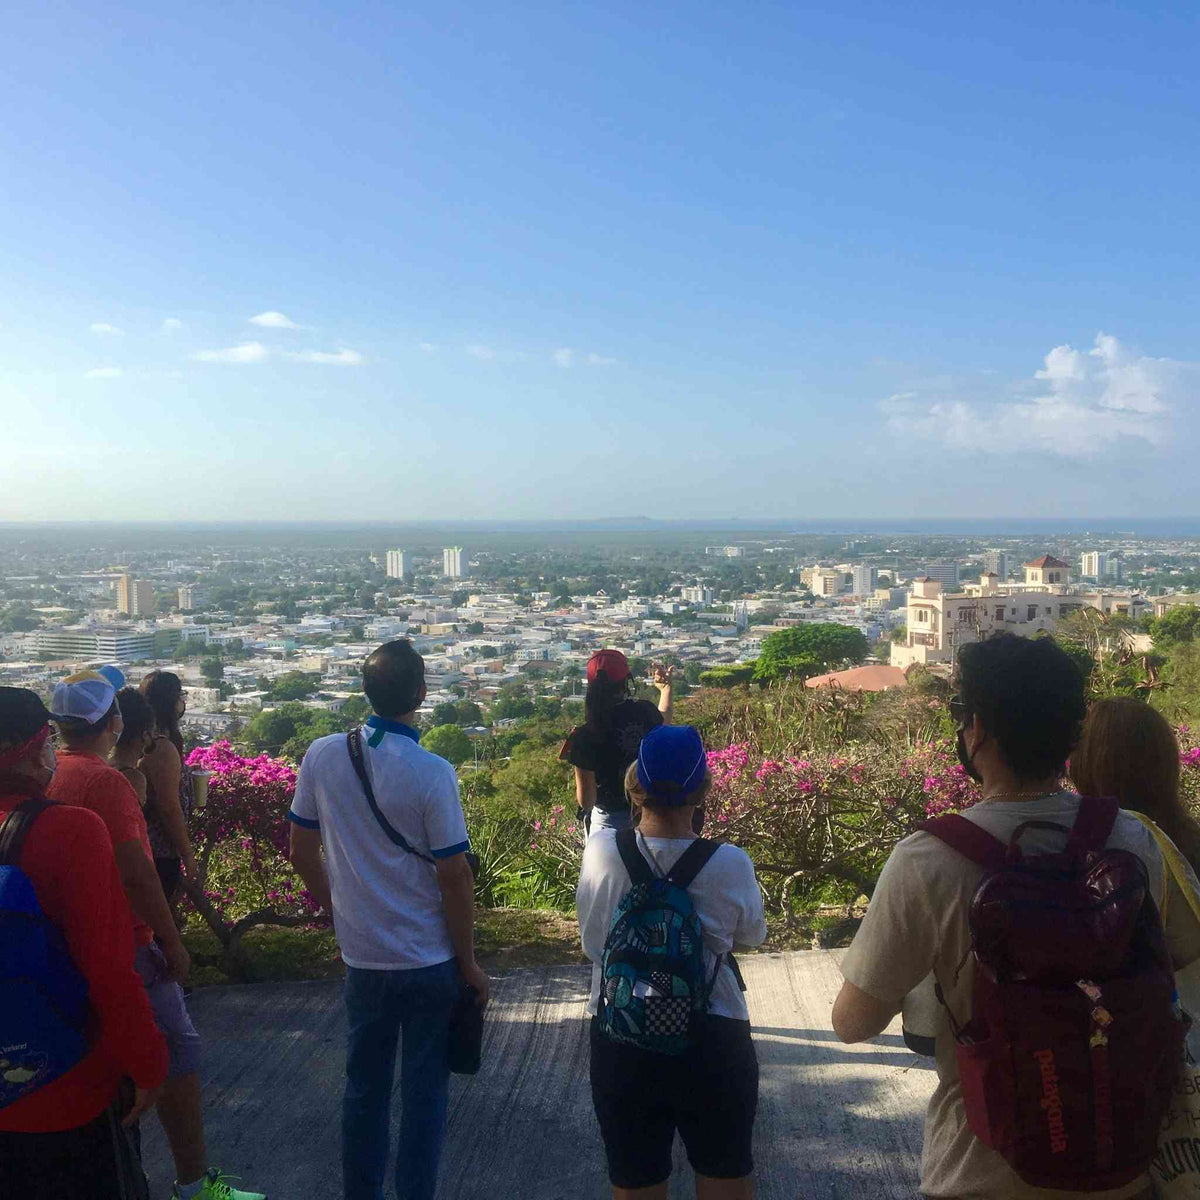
{"x":88,"y":717}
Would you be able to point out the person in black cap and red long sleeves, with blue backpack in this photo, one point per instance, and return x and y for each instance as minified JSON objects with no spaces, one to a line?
{"x":81,"y":1057}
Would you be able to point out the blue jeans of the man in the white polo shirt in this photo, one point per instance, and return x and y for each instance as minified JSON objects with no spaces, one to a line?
{"x":379,"y":1006}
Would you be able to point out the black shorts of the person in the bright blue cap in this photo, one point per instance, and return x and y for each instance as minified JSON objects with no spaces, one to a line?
{"x":710,"y":1095}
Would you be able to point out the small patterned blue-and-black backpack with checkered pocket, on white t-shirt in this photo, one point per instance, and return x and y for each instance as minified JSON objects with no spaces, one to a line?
{"x":655,"y":989}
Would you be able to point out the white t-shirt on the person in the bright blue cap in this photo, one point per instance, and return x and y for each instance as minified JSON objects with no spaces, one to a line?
{"x":727,"y":896}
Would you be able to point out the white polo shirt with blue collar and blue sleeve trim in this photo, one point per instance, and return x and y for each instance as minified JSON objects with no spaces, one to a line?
{"x":388,"y":913}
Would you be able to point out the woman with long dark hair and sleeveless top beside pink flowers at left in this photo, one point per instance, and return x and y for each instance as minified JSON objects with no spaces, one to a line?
{"x":169,"y":782}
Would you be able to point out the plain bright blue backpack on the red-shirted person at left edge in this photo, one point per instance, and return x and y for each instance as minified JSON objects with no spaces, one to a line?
{"x":44,"y":998}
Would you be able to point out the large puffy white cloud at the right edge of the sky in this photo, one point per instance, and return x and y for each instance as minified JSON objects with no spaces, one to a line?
{"x":1083,"y":404}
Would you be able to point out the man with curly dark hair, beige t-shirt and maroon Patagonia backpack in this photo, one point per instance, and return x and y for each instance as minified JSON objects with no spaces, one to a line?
{"x":1060,"y":1035}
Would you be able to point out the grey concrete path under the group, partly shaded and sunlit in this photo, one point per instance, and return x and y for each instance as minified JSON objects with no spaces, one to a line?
{"x":835,"y":1121}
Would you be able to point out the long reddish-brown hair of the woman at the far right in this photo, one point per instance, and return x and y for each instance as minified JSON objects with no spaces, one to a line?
{"x":1129,"y":752}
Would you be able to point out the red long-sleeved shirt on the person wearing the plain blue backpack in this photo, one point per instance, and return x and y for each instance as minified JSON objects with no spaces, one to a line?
{"x":69,"y":859}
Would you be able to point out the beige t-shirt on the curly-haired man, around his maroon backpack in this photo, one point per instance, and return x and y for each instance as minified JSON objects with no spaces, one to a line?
{"x":917,"y":922}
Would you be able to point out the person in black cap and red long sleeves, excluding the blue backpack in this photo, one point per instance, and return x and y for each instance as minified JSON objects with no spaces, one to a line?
{"x":68,"y":1139}
